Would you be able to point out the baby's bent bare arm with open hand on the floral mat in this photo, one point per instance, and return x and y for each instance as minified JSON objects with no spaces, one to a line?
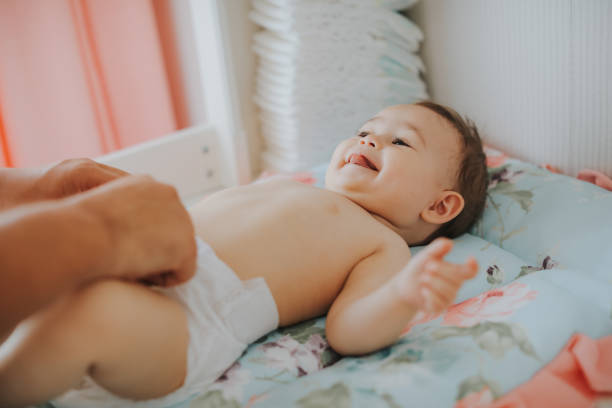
{"x":377,"y":301}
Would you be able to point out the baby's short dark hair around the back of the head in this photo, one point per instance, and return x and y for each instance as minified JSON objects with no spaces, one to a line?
{"x":472,"y":179}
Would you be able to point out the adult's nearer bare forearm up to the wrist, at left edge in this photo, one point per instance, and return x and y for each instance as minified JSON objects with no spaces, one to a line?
{"x":46,"y":249}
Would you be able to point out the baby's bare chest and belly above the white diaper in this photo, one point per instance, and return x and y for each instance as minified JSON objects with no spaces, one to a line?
{"x":304,"y":241}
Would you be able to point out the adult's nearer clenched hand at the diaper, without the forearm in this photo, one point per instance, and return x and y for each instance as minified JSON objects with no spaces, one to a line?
{"x":150,"y":232}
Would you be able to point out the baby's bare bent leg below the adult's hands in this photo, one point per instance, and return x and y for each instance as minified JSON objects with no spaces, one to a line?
{"x":131,"y":340}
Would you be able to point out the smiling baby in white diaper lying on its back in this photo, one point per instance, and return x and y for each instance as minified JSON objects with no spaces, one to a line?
{"x":272,"y":254}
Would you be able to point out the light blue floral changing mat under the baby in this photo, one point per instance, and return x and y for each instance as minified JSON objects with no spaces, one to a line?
{"x":545,"y":274}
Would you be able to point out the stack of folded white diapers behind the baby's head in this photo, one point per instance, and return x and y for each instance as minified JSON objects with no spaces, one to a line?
{"x":325,"y":67}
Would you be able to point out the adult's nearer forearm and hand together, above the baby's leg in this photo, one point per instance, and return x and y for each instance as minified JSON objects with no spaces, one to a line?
{"x":132,"y":227}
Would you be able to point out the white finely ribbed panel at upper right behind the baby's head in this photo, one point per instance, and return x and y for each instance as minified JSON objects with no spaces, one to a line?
{"x":535,"y":75}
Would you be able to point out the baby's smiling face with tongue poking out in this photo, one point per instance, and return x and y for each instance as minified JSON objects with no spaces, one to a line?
{"x":397,"y":164}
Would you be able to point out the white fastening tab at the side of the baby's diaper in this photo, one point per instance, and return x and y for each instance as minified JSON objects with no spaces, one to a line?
{"x":252,"y":312}
